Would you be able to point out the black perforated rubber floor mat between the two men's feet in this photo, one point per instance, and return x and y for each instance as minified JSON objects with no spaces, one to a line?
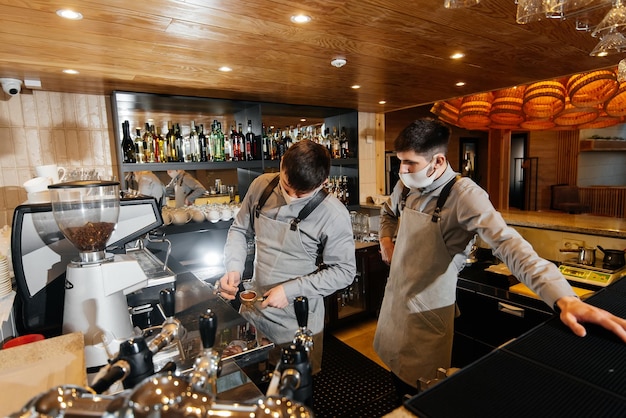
{"x":351,"y":385}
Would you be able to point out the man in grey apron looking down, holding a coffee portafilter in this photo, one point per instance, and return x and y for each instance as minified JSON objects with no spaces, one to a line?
{"x":287,"y":260}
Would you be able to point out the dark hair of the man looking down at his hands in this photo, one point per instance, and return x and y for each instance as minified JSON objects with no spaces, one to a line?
{"x":306,"y":164}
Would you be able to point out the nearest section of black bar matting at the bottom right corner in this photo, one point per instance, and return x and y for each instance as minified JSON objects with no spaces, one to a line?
{"x":504,"y":385}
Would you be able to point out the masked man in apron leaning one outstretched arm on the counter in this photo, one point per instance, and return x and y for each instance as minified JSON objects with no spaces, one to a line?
{"x":415,"y":327}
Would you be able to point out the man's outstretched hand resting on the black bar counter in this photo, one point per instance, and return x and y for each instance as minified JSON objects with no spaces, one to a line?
{"x":574,"y":312}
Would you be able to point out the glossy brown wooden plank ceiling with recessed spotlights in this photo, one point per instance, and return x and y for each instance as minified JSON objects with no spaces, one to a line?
{"x":396,"y":50}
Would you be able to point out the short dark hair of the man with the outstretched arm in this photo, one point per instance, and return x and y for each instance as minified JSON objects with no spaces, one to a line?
{"x":424,"y":136}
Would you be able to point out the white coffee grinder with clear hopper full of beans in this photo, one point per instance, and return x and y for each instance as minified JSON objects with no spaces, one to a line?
{"x":87,"y":212}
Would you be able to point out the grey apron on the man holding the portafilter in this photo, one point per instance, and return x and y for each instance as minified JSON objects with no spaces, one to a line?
{"x":281,"y":256}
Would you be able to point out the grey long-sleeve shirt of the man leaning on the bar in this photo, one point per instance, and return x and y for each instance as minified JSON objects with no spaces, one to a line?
{"x":469,"y":211}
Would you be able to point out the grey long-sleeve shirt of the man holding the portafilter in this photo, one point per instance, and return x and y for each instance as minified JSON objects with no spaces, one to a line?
{"x":328,"y":225}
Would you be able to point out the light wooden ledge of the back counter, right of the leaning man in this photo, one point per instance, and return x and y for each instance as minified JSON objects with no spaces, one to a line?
{"x":559,"y":221}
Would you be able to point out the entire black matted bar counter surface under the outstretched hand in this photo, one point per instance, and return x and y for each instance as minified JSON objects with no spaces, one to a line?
{"x":547,"y":372}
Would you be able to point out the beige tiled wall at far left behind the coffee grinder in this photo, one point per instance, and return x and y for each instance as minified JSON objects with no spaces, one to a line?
{"x":71,"y":130}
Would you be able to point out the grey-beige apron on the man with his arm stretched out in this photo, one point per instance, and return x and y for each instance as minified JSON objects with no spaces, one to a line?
{"x":415,"y":328}
